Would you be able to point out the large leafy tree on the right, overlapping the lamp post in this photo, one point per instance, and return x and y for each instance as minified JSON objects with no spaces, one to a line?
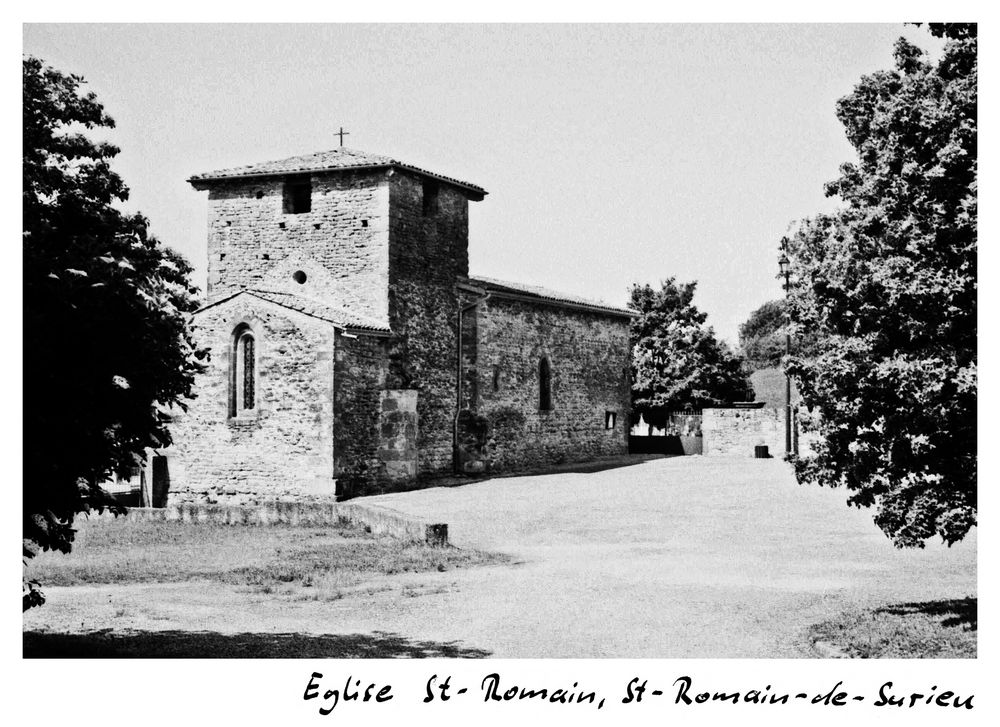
{"x":889,"y":283}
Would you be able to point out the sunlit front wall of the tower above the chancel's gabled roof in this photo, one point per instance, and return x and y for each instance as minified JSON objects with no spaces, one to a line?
{"x":341,"y":244}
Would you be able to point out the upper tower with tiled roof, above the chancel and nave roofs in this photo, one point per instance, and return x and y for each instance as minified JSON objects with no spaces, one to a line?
{"x":323,"y":226}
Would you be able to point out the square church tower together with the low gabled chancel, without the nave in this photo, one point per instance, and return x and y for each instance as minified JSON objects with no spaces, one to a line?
{"x":332,"y":321}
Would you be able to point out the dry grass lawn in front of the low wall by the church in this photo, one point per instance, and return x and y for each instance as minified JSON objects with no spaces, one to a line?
{"x":309,"y":563}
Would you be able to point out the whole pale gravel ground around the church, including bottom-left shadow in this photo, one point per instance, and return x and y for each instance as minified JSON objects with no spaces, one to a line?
{"x":679,"y":557}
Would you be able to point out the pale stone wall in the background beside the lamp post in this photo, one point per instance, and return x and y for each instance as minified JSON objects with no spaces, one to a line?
{"x":736,"y":432}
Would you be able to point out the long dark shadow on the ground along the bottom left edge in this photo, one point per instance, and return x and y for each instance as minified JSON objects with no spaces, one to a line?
{"x":108,"y":644}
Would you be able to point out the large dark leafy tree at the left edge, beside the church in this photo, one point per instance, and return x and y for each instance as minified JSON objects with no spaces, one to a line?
{"x":107,"y":349}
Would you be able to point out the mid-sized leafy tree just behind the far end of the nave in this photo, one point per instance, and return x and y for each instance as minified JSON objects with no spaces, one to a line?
{"x":677,"y":362}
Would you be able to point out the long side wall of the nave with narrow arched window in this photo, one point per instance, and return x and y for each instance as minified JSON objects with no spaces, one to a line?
{"x":589,"y":358}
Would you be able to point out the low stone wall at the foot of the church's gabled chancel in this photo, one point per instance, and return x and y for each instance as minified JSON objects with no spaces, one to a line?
{"x":378,"y":520}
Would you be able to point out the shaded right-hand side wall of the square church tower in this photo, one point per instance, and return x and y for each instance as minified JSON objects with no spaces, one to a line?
{"x":427,"y":253}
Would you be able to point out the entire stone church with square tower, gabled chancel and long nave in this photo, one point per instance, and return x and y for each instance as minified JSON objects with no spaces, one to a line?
{"x":351,"y":352}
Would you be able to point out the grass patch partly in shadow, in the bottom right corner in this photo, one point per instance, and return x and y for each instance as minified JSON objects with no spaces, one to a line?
{"x":932,"y":629}
